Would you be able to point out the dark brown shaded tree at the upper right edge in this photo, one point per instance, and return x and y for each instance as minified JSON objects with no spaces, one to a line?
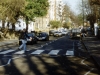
{"x":94,"y":15}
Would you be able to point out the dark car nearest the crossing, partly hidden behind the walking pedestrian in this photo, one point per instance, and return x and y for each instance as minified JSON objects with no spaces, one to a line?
{"x":33,"y":41}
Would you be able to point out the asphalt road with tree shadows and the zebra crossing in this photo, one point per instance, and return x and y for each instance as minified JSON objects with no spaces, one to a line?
{"x":59,"y":56}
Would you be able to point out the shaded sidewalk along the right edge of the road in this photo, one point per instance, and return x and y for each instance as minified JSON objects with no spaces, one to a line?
{"x":92,"y":45}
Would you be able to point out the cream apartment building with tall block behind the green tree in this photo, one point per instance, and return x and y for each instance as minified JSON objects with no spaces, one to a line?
{"x":54,"y":13}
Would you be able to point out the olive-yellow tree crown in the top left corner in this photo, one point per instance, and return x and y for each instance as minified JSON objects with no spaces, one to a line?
{"x":11,"y":9}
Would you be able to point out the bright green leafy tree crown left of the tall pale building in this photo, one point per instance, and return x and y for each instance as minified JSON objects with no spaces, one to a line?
{"x":35,"y":8}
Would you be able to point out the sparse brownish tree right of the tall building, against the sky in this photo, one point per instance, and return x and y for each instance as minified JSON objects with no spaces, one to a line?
{"x":68,"y":14}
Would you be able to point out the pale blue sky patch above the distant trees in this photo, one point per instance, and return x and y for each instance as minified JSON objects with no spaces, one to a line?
{"x":74,"y":5}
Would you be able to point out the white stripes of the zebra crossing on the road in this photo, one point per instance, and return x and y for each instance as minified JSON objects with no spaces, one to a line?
{"x":37,"y":52}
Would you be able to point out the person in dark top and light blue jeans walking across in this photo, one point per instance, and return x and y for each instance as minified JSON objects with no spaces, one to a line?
{"x":23,"y":38}
